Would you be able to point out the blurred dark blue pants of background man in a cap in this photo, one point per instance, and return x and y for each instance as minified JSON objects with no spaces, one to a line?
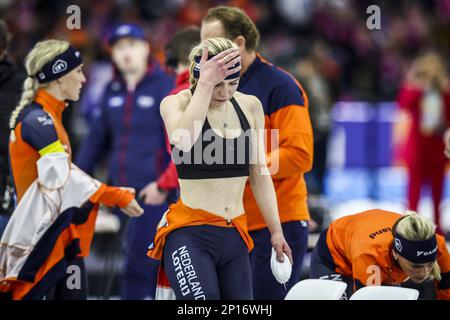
{"x":140,"y":272}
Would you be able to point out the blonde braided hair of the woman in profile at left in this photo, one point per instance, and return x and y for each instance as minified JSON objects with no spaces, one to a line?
{"x":42,"y":52}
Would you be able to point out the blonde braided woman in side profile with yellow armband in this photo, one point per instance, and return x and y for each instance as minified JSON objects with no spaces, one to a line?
{"x":36,"y":249}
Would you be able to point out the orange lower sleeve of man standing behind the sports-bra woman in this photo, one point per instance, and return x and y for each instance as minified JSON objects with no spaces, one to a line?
{"x":295,"y":150}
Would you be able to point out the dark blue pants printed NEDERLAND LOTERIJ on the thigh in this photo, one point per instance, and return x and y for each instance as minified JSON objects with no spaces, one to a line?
{"x":207,"y":263}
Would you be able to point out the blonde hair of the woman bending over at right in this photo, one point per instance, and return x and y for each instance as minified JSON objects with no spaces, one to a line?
{"x":415,"y":227}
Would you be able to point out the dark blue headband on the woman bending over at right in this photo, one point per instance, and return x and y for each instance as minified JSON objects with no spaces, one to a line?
{"x":416,"y":251}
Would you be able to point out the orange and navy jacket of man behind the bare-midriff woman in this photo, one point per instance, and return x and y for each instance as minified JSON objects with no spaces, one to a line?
{"x":285,"y":107}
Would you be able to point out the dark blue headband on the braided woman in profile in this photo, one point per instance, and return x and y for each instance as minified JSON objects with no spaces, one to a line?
{"x":59,"y":66}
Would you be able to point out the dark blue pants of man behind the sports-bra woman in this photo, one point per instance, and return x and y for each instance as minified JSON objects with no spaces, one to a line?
{"x":265,"y":286}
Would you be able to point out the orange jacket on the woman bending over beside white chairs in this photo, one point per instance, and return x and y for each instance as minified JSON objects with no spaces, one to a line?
{"x":360,"y":241}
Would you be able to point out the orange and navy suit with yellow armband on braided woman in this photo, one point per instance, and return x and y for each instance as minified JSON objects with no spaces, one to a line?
{"x":38,"y":132}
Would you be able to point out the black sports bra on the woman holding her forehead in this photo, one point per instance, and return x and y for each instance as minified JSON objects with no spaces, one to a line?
{"x":212,"y":156}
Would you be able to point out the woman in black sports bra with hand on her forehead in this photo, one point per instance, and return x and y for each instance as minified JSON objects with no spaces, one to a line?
{"x":213,"y":129}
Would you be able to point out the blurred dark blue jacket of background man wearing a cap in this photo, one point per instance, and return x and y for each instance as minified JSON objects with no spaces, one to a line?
{"x":128,"y":129}
